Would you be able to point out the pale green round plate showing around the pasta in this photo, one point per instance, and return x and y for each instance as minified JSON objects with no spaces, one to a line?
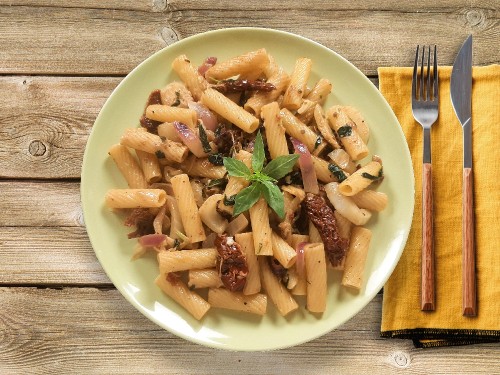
{"x":220,"y":328}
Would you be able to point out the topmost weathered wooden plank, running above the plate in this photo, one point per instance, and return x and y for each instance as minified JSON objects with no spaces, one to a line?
{"x":115,"y":41}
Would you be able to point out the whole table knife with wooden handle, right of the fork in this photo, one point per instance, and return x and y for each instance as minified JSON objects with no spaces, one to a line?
{"x":460,"y":91}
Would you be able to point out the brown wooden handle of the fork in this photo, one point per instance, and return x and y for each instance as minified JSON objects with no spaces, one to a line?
{"x":427,"y":273}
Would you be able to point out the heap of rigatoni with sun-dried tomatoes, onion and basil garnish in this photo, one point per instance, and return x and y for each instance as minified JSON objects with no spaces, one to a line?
{"x":225,"y":202}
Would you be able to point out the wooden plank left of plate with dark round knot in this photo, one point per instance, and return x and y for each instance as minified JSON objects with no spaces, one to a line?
{"x":45,"y":123}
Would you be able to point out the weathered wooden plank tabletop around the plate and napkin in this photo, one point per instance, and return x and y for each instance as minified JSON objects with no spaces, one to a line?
{"x":59,"y":62}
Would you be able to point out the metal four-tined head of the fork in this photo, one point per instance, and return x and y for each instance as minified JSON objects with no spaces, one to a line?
{"x":425,"y":88}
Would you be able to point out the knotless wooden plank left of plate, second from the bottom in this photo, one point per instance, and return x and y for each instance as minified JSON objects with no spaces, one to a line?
{"x":48,"y":255}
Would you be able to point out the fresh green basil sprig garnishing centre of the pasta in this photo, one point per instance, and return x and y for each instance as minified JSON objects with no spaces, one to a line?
{"x":262,"y":180}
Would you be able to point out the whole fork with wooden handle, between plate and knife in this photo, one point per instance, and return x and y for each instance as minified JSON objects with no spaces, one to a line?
{"x":425,"y":106}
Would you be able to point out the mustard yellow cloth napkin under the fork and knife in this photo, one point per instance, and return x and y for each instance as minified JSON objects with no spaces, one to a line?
{"x":401,"y":314}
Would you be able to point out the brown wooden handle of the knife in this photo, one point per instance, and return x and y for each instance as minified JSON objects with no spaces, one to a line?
{"x":469,"y":301}
